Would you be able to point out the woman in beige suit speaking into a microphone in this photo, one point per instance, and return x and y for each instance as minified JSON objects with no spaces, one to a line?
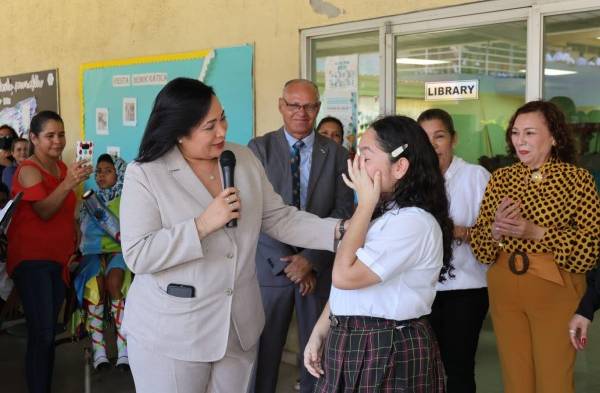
{"x":194,"y":312}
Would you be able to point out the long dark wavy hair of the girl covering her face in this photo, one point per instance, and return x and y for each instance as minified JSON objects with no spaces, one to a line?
{"x":423,"y":184}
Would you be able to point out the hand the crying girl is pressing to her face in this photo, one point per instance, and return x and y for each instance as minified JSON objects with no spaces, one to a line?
{"x":367,"y":189}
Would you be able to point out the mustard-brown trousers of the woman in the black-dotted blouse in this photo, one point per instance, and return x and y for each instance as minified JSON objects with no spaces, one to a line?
{"x":531,"y":316}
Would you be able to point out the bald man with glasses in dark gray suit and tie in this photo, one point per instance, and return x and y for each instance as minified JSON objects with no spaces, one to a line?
{"x":305,"y":169}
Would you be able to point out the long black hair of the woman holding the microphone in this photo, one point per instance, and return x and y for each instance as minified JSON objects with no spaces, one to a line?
{"x":178,"y":107}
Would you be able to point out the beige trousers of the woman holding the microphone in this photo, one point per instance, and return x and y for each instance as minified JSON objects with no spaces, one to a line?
{"x":156,"y":373}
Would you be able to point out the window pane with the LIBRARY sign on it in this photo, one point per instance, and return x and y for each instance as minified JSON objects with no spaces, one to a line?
{"x":494,"y":55}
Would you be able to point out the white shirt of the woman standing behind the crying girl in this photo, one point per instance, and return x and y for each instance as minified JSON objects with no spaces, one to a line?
{"x":465,"y":186}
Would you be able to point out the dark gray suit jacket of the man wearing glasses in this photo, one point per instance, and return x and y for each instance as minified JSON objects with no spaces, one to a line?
{"x":327,"y":196}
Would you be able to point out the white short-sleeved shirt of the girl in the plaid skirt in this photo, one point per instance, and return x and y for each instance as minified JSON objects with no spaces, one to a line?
{"x":404,"y":248}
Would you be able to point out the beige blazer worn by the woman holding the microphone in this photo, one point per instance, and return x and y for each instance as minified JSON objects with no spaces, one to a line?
{"x":161,"y":246}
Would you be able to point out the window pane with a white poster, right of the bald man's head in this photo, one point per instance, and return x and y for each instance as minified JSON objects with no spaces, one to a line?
{"x":346,"y":69}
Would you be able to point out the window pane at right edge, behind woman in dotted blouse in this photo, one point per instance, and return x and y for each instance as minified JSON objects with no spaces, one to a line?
{"x":572,"y":77}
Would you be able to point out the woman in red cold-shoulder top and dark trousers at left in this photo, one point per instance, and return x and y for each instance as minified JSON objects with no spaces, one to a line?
{"x":41,"y":240}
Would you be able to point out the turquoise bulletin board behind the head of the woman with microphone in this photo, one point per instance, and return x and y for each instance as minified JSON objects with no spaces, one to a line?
{"x":117,"y":96}
